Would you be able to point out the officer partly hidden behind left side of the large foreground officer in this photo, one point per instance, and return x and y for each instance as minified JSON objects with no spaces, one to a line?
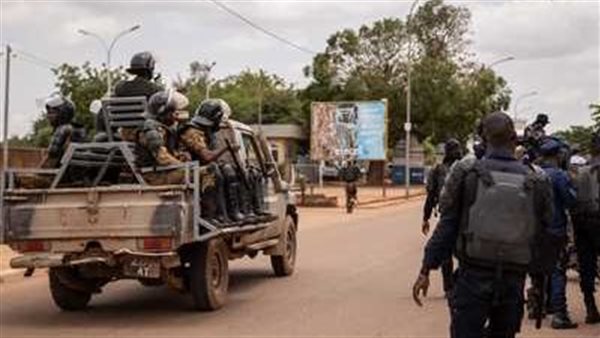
{"x":435,"y":182}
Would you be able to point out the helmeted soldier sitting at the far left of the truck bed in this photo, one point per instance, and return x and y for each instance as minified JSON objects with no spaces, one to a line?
{"x":59,"y":112}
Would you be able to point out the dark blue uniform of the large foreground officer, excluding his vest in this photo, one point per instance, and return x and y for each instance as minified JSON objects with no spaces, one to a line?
{"x":482,"y":294}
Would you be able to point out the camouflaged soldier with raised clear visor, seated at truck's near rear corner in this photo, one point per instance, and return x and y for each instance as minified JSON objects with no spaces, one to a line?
{"x":157,"y":141}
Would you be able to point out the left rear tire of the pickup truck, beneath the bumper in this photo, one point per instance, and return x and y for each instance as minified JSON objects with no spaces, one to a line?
{"x":65,"y":297}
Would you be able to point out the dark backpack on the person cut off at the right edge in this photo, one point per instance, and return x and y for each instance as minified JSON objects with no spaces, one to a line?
{"x":588,"y":189}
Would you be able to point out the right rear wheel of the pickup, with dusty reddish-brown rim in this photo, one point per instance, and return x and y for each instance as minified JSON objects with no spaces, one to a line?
{"x":209,"y":275}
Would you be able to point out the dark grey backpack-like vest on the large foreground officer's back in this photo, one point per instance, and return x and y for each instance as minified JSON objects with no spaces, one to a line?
{"x":501,"y":224}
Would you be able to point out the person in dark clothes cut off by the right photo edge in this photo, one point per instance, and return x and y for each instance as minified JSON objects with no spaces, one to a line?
{"x":586,"y":224}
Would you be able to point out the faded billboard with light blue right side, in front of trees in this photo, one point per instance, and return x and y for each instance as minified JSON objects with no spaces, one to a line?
{"x":341,"y":130}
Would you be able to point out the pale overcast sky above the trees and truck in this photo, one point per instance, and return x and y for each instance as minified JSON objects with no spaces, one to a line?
{"x":555,"y":44}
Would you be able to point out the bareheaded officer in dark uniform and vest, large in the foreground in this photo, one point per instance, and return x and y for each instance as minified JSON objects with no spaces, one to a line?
{"x":491,"y":210}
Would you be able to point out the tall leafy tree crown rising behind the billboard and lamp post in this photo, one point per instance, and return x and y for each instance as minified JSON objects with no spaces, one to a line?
{"x":449,"y":92}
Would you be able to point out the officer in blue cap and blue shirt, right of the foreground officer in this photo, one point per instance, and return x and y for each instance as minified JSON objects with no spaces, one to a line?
{"x":564,"y":198}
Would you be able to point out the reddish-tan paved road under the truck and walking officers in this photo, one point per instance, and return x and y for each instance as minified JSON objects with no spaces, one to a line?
{"x":353,"y":279}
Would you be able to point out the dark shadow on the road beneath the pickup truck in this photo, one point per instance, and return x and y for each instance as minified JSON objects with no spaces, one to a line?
{"x":127,"y":303}
